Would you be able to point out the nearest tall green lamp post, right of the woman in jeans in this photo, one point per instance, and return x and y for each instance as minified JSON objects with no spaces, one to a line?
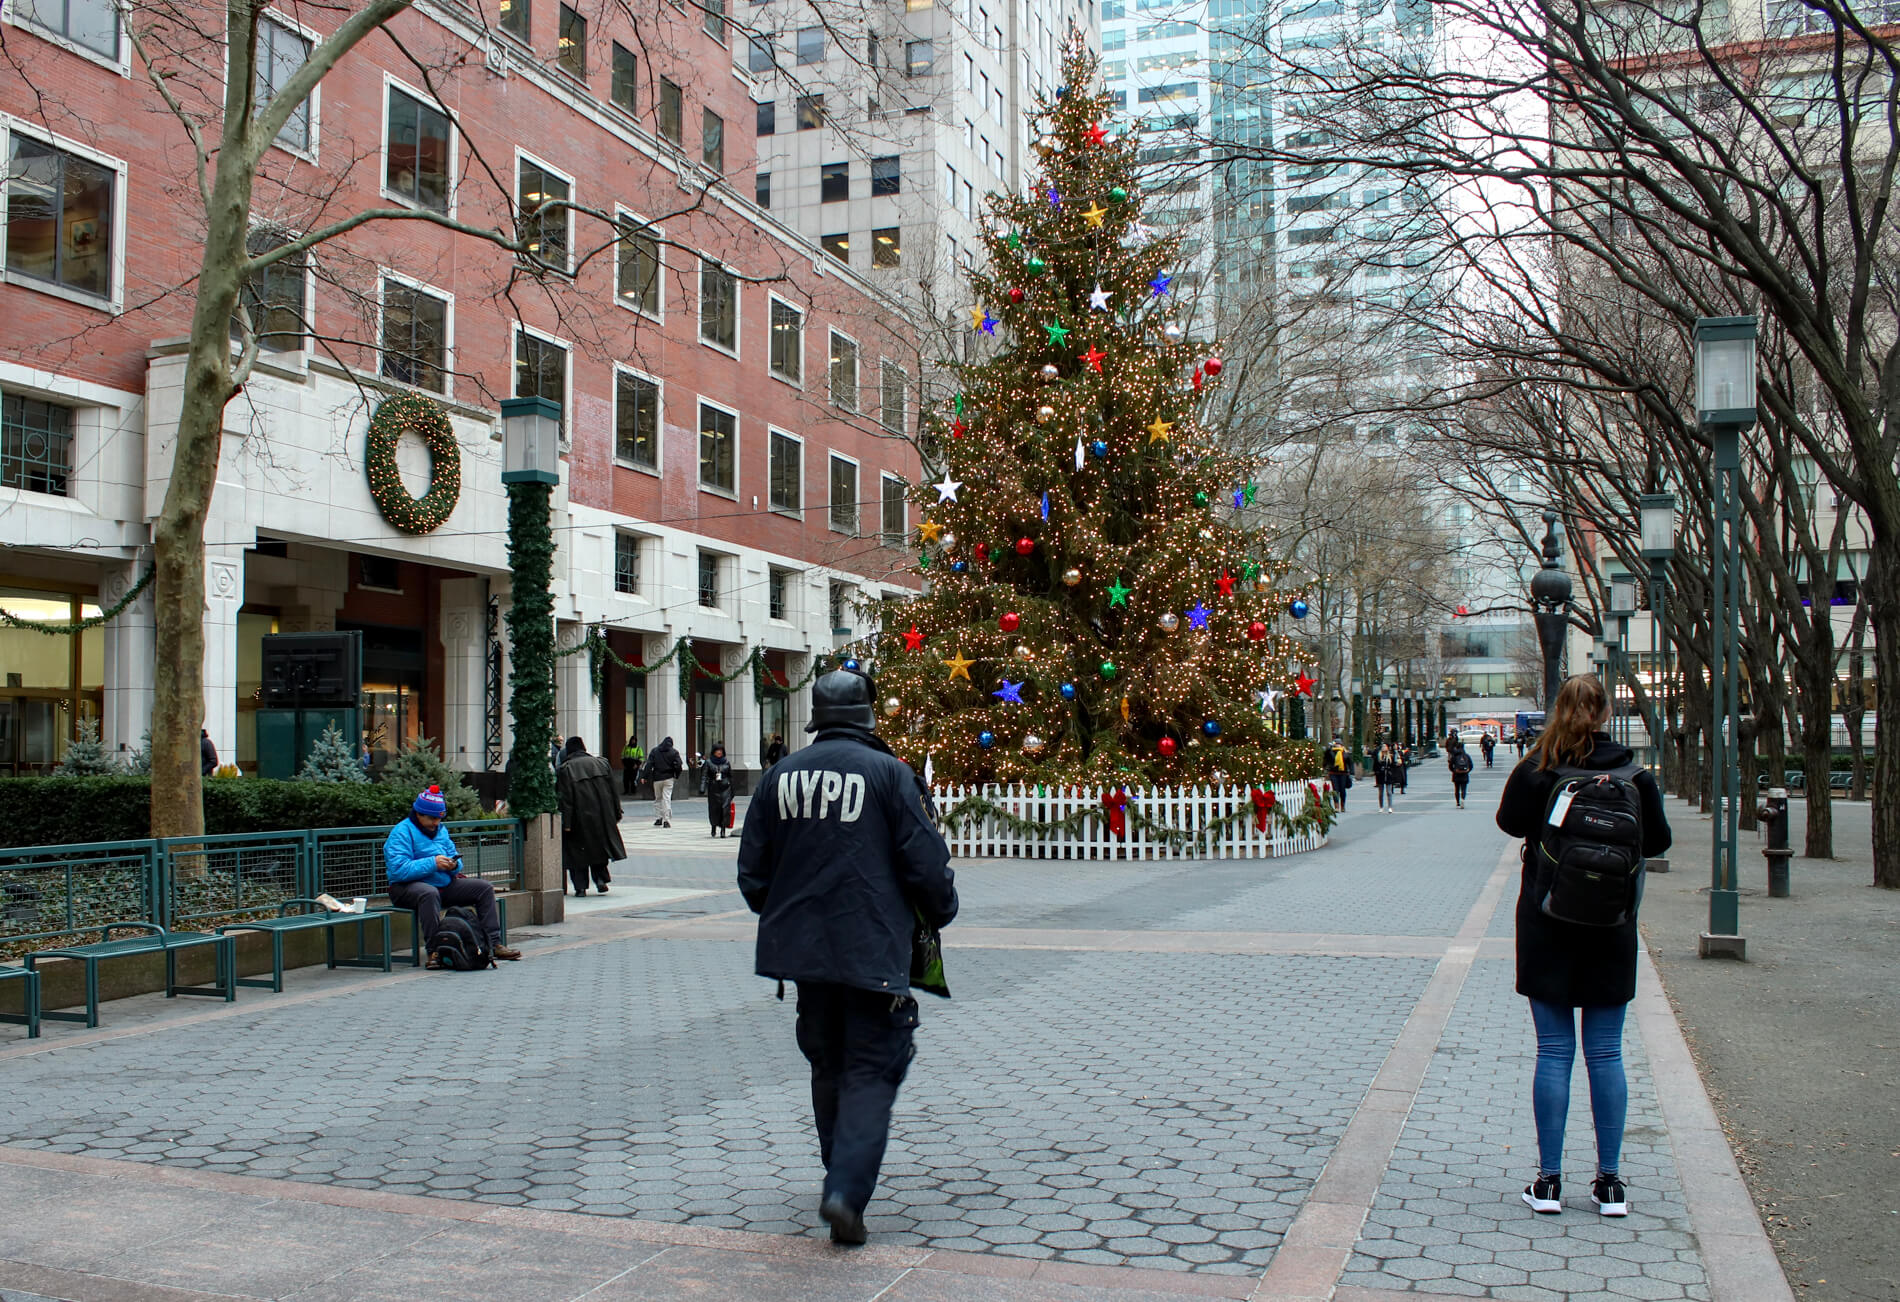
{"x":1724,"y":408}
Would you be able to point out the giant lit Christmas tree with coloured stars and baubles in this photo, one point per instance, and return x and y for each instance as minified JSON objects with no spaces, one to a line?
{"x":1095,"y":613}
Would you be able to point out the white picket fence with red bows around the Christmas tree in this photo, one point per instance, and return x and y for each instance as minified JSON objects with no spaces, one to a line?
{"x":1181,"y":809}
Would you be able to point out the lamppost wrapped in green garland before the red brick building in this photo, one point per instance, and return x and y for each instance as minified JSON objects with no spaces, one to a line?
{"x":531,"y":469}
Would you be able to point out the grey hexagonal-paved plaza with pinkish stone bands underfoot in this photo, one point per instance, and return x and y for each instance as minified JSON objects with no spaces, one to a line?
{"x":1261,"y":1081}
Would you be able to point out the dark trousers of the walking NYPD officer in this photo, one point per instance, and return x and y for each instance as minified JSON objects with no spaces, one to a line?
{"x":860,"y":1046}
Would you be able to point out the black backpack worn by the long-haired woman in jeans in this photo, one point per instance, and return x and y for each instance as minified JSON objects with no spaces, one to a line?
{"x":1591,"y":849}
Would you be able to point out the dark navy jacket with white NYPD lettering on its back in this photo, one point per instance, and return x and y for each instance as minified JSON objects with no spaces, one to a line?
{"x":837,"y":852}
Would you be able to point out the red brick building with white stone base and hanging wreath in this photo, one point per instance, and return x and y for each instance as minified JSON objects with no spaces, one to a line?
{"x":734,"y":402}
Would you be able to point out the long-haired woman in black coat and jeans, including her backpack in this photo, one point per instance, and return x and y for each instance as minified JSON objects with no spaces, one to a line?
{"x":1578,"y":925}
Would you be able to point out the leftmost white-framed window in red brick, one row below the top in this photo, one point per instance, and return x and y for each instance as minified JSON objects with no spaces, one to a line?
{"x":60,"y":212}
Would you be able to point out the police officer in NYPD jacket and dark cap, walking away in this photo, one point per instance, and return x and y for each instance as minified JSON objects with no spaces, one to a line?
{"x":839,"y":851}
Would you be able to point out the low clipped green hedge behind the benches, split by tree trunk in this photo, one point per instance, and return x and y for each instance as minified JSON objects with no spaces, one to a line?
{"x":64,"y":811}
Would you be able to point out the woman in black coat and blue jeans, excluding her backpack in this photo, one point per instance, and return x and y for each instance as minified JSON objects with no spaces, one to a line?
{"x":1574,"y":972}
